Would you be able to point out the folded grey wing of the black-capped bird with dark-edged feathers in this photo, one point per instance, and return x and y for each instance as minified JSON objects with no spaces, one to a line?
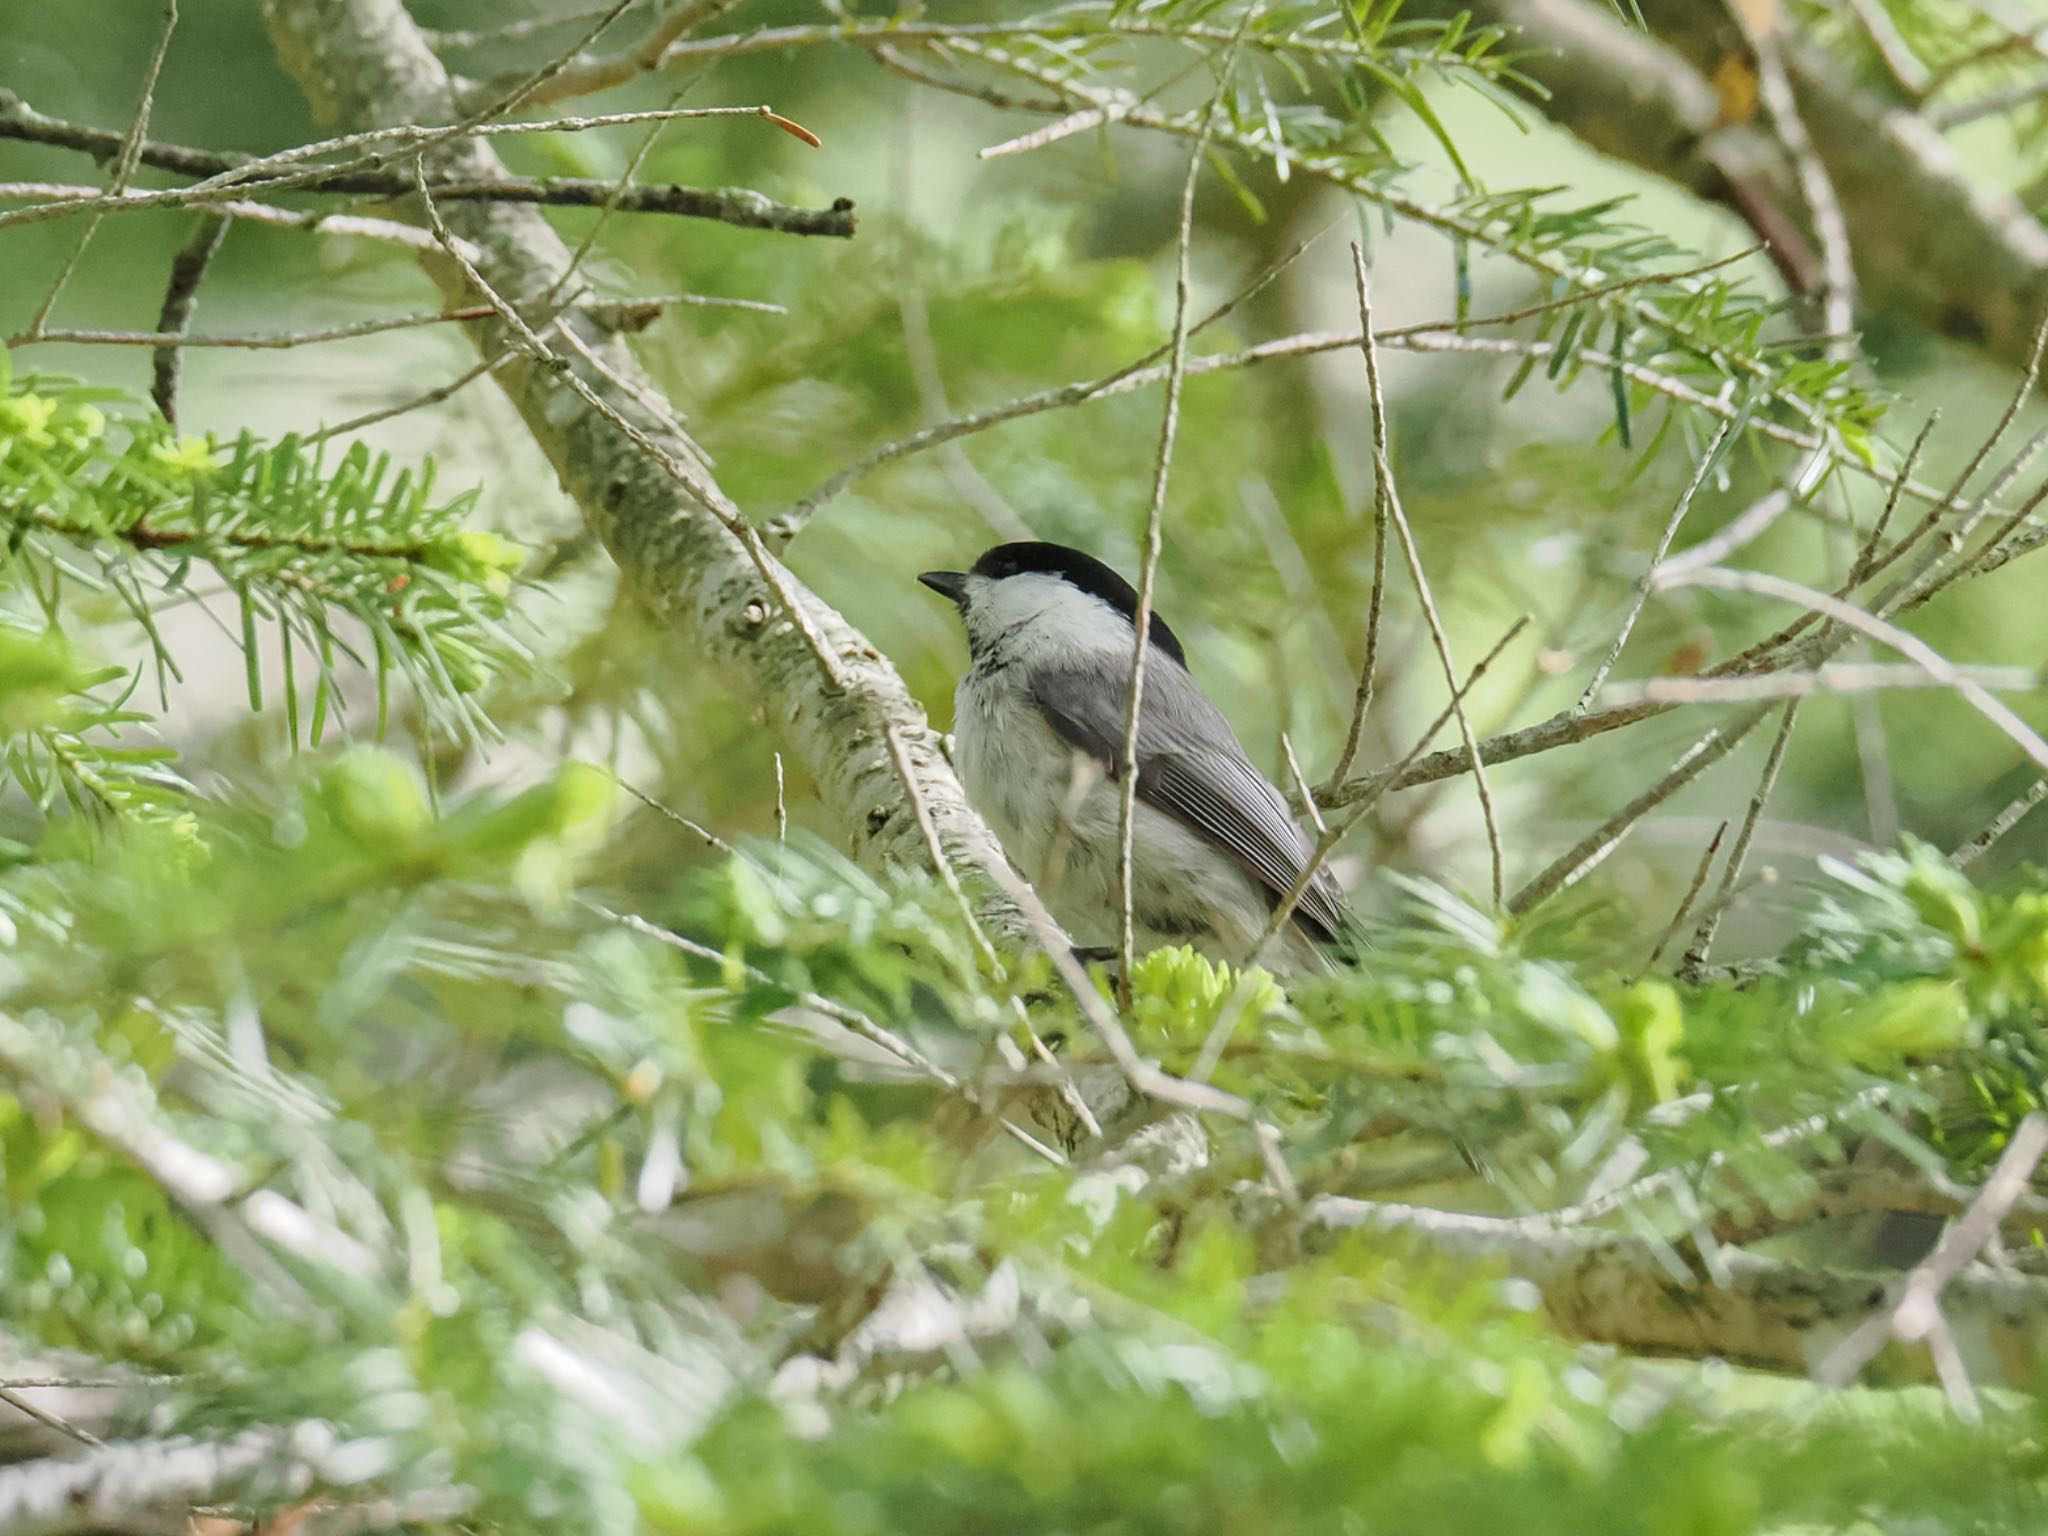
{"x":1193,"y":771}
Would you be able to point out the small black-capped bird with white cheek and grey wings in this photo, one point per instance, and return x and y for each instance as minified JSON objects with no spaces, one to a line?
{"x":1039,"y":732}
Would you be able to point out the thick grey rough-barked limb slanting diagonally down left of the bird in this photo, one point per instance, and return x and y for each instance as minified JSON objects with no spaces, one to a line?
{"x":366,"y":65}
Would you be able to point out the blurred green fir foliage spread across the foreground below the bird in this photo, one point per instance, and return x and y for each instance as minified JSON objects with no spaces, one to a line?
{"x":544,"y":1211}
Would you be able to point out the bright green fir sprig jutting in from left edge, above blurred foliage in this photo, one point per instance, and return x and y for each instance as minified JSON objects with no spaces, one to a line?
{"x":349,"y":562}
